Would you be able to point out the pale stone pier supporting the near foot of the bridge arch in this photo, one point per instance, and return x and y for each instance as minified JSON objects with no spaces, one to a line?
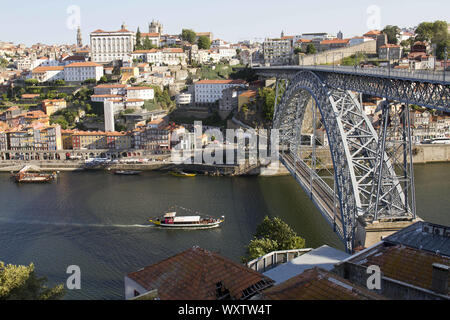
{"x":377,"y":230}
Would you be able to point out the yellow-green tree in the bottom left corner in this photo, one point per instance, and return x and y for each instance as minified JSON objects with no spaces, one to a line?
{"x":21,"y":283}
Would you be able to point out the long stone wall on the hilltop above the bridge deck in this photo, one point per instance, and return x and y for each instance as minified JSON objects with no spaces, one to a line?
{"x":327,"y":56}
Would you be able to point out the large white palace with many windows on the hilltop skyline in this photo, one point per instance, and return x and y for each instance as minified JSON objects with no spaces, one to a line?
{"x":107,"y":46}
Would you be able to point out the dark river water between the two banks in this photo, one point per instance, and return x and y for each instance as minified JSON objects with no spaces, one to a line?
{"x":98,"y":220}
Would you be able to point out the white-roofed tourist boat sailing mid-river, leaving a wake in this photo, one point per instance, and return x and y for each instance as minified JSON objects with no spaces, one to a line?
{"x":170,"y":220}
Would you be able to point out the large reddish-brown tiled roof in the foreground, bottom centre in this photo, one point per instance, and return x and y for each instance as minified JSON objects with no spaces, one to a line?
{"x":194,"y":274}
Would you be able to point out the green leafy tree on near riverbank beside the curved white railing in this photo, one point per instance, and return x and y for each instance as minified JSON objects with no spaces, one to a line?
{"x":273,"y":235}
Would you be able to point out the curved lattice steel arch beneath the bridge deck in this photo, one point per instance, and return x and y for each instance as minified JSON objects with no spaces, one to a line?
{"x":354,"y":147}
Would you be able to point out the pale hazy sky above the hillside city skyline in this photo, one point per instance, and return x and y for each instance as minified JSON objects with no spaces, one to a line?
{"x":55,"y":21}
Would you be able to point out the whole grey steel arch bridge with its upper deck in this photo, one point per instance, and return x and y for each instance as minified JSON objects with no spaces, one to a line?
{"x":372,"y":178}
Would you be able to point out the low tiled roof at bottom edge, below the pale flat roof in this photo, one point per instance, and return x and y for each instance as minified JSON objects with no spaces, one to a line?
{"x":318,"y":284}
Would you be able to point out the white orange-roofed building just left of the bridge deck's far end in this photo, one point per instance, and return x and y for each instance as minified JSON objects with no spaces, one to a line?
{"x":210,"y":91}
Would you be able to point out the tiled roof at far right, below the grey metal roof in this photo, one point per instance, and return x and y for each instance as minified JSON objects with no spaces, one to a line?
{"x":406,"y":264}
